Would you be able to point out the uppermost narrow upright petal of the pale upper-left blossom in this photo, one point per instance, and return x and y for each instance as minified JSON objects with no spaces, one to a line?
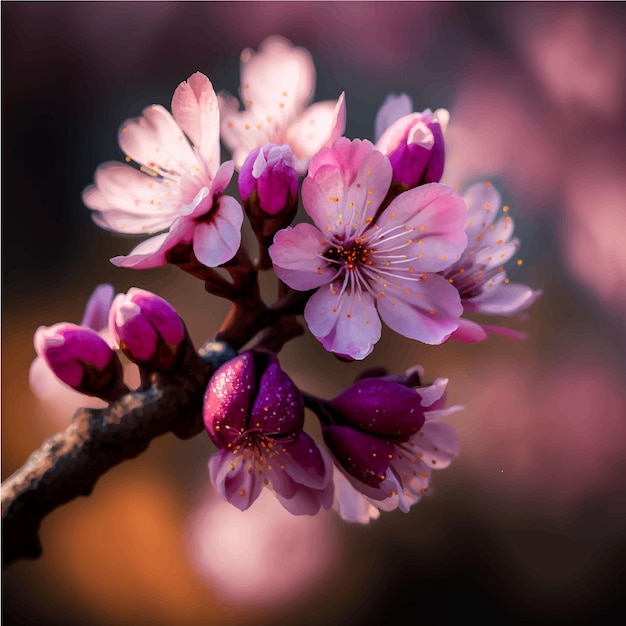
{"x":195,"y":109}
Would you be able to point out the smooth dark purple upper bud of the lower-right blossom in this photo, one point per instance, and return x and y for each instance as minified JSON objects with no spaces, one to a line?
{"x":380,"y":407}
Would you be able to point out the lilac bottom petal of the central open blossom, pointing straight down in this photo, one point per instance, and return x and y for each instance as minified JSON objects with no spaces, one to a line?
{"x":347,"y":325}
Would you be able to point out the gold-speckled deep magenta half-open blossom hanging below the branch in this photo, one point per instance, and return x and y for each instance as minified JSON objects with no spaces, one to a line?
{"x":255,"y":415}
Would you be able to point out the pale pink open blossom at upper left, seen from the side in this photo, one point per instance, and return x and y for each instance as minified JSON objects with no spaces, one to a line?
{"x":179,"y":186}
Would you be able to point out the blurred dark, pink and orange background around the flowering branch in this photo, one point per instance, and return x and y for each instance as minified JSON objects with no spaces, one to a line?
{"x":529,"y":524}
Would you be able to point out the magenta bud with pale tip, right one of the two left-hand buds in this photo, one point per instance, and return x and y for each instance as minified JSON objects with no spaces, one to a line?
{"x":148,"y":329}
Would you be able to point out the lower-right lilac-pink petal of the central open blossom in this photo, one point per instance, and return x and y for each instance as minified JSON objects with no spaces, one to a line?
{"x":429,"y":318}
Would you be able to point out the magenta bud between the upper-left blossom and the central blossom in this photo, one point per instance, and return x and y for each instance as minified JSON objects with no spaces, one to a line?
{"x":268,"y":181}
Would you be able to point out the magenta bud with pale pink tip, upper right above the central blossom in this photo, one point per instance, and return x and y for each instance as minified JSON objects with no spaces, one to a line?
{"x":415,"y":147}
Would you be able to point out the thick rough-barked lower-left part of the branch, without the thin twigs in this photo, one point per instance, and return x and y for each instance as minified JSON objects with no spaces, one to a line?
{"x":70,"y":463}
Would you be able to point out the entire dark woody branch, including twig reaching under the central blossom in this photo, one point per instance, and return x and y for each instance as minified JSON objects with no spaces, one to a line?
{"x":70,"y":463}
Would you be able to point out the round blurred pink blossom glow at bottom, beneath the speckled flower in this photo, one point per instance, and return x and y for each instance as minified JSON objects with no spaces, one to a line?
{"x":263,"y":557}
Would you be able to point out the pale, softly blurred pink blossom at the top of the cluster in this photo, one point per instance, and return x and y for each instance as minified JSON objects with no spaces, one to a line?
{"x":277,"y":84}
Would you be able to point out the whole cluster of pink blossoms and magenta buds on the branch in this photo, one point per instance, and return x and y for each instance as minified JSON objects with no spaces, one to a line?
{"x":381,"y":241}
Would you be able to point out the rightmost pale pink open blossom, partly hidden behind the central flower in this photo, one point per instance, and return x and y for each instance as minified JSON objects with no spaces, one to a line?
{"x":479,"y":274}
